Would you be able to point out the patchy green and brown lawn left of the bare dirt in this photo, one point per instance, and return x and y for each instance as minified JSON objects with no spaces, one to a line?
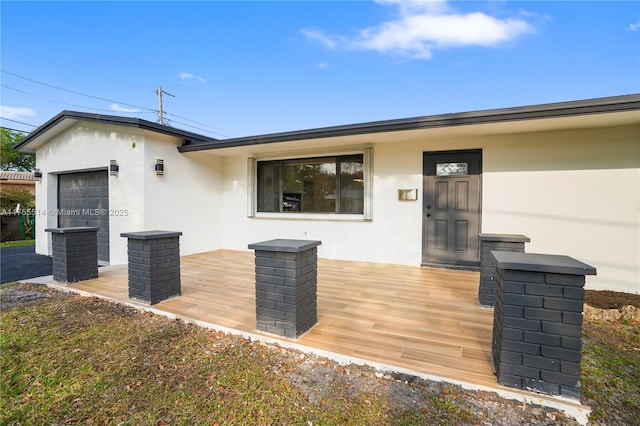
{"x":86,"y":361}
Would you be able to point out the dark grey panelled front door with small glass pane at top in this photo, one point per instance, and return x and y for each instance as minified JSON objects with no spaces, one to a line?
{"x":451,"y":208}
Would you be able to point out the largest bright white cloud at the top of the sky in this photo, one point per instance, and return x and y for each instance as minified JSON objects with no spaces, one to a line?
{"x":423,"y":26}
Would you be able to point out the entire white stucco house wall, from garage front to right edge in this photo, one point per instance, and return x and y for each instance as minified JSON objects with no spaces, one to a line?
{"x":573,"y":192}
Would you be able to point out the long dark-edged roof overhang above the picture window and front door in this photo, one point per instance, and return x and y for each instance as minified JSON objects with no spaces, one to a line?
{"x":591,"y":113}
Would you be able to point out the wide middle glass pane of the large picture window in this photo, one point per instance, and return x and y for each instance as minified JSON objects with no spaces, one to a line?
{"x":309,"y":185}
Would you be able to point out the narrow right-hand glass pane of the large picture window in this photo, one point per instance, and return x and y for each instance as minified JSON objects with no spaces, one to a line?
{"x":352,"y":184}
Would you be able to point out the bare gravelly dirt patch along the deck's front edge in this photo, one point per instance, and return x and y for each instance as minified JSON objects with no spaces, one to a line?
{"x":319,"y":379}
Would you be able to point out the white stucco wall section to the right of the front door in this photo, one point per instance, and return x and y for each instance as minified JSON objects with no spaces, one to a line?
{"x":572,"y":192}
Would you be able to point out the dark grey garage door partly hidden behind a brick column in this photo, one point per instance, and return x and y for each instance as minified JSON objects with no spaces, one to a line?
{"x":83,"y":200}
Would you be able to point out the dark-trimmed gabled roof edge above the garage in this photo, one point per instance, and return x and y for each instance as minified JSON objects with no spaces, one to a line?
{"x":67,"y":119}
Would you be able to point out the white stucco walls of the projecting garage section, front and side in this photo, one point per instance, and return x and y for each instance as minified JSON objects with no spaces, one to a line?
{"x":184,"y":199}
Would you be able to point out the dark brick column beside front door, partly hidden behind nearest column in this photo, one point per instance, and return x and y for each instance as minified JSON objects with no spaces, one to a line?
{"x":488,"y":271}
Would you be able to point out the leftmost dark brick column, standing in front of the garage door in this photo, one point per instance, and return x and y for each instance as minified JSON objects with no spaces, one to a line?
{"x":75,"y":253}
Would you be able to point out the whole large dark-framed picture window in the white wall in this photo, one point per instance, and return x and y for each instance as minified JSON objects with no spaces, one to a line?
{"x":312,"y":185}
